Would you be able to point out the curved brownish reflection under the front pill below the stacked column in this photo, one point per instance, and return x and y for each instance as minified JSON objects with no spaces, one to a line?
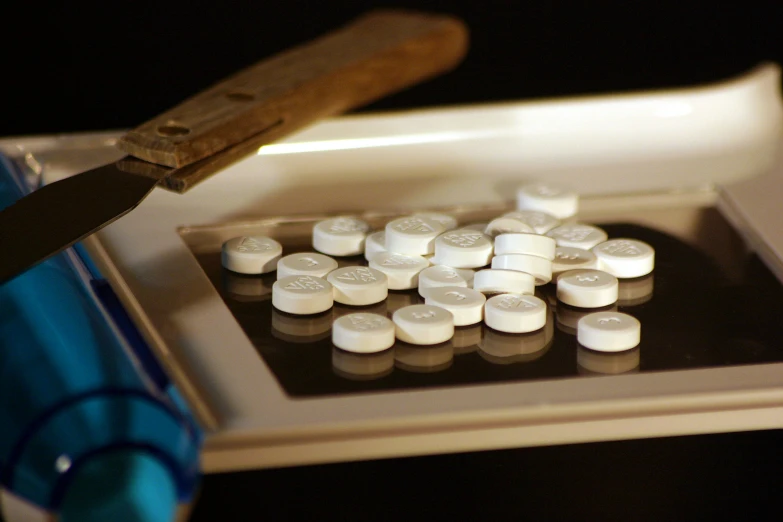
{"x":504,"y":348}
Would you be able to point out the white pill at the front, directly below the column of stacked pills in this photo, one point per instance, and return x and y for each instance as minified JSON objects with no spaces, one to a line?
{"x":515,"y":313}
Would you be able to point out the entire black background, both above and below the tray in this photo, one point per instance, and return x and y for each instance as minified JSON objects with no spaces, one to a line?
{"x":76,"y":66}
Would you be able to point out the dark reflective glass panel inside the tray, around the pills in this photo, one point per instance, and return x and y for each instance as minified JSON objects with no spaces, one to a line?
{"x":697,"y":315}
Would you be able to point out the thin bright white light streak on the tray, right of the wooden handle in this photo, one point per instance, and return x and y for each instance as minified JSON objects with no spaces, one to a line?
{"x":381,"y":141}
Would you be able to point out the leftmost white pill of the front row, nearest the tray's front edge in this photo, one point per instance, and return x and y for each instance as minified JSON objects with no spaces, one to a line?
{"x":363,"y":333}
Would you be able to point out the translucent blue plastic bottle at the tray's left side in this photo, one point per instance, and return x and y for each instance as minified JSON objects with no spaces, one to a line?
{"x":85,"y":432}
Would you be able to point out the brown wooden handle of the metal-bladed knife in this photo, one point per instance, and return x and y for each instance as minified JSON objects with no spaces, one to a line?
{"x":375,"y":55}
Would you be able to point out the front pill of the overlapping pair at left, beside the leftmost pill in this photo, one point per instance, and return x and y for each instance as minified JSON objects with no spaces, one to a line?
{"x":302,"y":295}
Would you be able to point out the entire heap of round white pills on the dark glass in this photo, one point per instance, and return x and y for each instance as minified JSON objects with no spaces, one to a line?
{"x":467,"y":274}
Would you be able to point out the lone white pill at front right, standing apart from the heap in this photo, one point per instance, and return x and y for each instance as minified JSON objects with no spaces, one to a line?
{"x":608,"y":331}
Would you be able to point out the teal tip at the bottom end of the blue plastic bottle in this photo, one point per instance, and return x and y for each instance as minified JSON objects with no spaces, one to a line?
{"x":122,"y":486}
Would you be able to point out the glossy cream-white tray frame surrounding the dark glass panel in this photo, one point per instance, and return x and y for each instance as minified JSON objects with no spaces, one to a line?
{"x":651,"y":157}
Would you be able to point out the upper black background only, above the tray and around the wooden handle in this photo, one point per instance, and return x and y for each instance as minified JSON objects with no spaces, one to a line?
{"x":73,"y":66}
